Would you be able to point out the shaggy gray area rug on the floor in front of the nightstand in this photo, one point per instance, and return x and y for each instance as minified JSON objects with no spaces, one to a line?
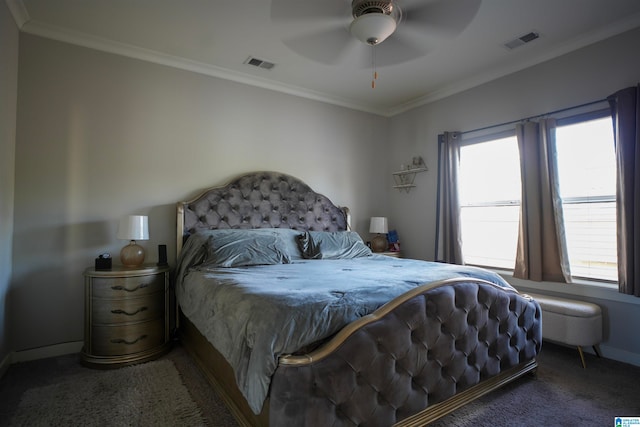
{"x":142,"y":395}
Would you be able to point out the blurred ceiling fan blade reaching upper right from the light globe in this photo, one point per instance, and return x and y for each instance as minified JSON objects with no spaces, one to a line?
{"x":440,"y":19}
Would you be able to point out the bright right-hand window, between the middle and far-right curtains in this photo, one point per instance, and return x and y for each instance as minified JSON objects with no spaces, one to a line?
{"x":586,"y":169}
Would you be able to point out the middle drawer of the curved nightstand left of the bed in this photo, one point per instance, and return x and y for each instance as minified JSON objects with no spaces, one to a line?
{"x":128,"y":310}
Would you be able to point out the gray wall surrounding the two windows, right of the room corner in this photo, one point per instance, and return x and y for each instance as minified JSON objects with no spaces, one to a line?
{"x":586,"y":75}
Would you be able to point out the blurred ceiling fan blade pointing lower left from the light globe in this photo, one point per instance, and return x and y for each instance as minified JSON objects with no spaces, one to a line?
{"x":327,"y":47}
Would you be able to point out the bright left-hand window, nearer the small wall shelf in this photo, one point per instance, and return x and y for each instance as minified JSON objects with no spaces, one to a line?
{"x":489,"y":187}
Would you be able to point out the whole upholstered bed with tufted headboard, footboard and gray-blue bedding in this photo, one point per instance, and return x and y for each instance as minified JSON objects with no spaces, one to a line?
{"x":295,"y":322}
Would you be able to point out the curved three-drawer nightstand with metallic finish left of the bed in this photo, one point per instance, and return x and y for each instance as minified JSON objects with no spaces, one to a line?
{"x":126,"y":315}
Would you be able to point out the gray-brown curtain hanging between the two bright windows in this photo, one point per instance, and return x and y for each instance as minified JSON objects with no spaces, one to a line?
{"x":541,"y":252}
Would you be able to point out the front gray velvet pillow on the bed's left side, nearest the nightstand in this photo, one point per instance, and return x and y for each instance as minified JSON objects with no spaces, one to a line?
{"x":240,"y":247}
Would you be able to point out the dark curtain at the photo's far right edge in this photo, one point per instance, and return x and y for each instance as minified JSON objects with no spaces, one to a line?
{"x":625,"y":111}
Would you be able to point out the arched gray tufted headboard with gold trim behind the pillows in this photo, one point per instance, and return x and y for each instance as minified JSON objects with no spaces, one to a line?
{"x":260,"y":200}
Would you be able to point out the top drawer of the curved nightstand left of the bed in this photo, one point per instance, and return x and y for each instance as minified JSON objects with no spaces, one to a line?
{"x":120,"y":287}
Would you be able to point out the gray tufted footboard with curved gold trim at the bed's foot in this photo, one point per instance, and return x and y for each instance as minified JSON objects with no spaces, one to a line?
{"x":456,"y":340}
